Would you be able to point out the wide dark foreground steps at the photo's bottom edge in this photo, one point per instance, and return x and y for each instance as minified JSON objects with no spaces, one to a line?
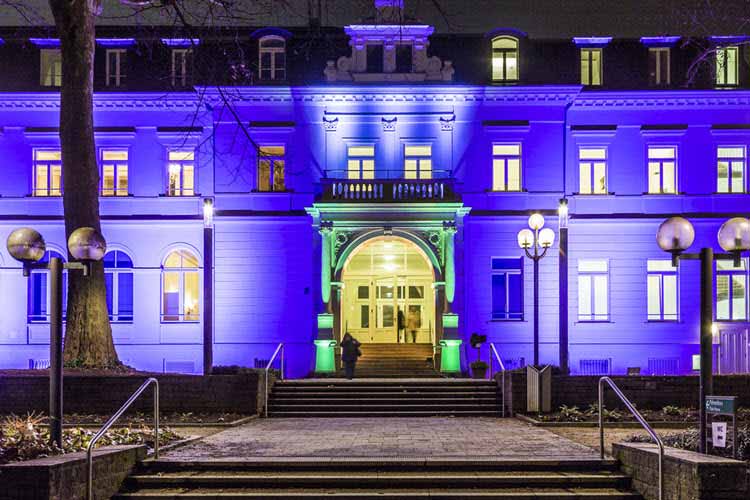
{"x":365,"y":479}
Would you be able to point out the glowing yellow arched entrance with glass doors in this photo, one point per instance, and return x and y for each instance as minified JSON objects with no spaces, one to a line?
{"x":385,"y":278}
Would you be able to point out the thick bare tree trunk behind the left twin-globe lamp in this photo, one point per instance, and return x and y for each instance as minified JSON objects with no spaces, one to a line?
{"x":88,"y":337}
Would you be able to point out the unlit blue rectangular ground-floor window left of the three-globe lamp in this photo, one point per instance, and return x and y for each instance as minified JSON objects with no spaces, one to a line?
{"x":507,"y":288}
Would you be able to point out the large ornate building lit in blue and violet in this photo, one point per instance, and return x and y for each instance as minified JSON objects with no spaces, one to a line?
{"x":390,"y":173}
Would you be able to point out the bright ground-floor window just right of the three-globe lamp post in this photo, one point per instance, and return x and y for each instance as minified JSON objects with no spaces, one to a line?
{"x":593,"y":290}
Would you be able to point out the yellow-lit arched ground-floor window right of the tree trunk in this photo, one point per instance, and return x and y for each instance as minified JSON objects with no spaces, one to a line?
{"x":180,"y":287}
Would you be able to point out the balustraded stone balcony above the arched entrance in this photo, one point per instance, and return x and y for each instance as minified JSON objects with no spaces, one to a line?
{"x":388,"y":191}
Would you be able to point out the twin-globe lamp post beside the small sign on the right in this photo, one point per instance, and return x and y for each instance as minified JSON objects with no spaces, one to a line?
{"x":675,"y":235}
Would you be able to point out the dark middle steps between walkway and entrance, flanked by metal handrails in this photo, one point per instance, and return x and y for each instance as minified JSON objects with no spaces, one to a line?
{"x":384,"y":398}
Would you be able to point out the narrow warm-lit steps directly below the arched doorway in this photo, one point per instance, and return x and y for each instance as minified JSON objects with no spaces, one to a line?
{"x":395,"y":361}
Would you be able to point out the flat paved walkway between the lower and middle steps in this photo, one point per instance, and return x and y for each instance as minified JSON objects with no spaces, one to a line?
{"x":385,"y":437}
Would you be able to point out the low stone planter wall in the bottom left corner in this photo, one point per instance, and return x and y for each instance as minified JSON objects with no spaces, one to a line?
{"x":63,"y":477}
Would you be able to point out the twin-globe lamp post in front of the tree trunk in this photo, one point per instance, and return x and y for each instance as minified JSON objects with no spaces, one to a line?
{"x":27,"y":246}
